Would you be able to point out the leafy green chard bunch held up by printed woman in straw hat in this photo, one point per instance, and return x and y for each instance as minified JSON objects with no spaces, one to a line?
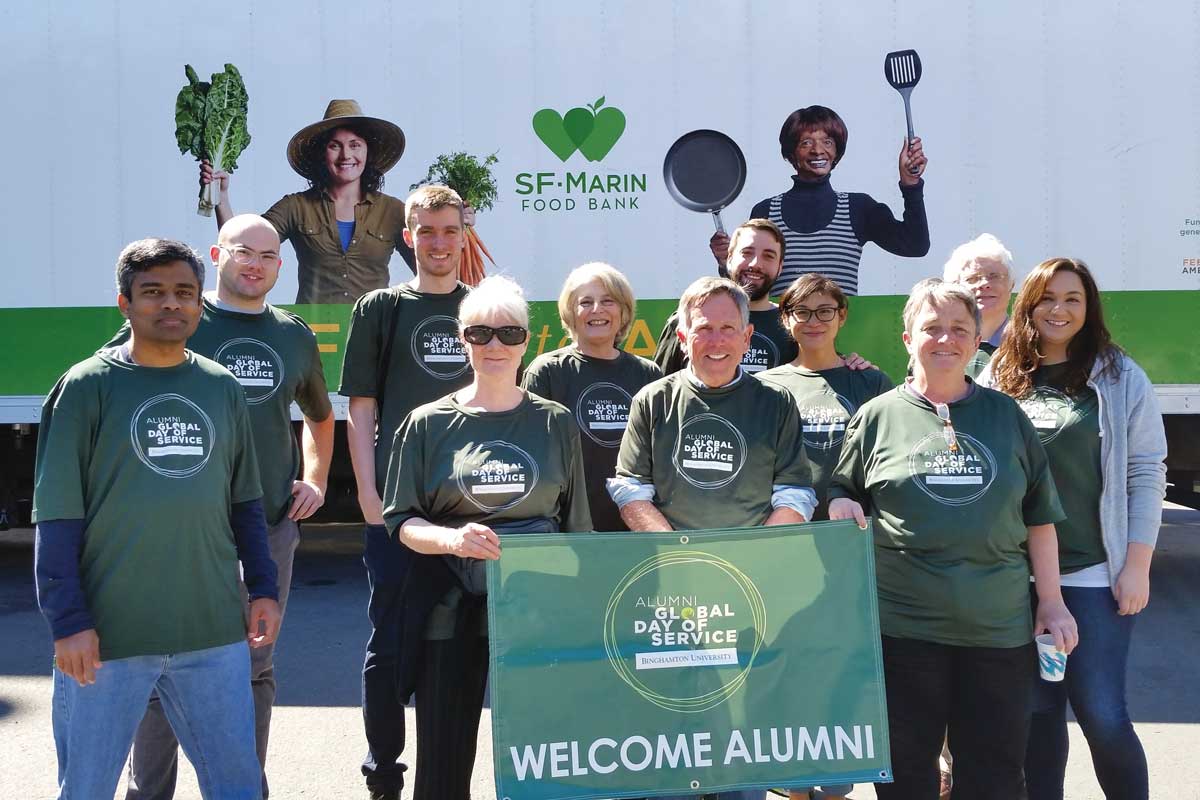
{"x":212,"y":123}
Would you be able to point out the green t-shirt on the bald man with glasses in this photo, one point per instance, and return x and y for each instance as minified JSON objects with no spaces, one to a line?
{"x":274,"y":357}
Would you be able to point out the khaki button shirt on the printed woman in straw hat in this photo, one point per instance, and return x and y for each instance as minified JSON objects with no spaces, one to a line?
{"x":325,"y":272}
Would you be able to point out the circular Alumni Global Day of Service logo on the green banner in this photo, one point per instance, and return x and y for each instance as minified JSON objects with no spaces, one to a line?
{"x":683,"y":629}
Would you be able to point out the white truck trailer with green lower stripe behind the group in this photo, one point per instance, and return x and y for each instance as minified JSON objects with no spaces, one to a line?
{"x":1066,"y":129}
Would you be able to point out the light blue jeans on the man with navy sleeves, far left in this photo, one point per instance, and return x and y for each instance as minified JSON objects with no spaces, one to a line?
{"x":207,"y":697}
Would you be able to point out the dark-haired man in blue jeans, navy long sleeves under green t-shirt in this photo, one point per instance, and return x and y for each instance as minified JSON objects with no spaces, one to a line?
{"x":148,"y":488}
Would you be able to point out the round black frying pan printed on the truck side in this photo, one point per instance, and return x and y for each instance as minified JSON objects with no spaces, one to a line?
{"x":705,"y":171}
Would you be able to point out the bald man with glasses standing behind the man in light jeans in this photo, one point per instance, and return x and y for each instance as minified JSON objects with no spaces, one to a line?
{"x":274,"y":357}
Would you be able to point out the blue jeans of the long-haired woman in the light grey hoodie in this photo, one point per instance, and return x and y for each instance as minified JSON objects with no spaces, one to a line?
{"x":1095,"y":685}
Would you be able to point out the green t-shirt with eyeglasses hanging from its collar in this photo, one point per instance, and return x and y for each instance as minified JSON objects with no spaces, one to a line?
{"x":951,"y":527}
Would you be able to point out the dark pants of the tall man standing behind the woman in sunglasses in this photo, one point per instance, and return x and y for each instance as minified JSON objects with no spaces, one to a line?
{"x":383,"y":709}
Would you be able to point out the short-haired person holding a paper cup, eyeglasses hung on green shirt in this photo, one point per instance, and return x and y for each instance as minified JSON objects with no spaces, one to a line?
{"x":963,"y":500}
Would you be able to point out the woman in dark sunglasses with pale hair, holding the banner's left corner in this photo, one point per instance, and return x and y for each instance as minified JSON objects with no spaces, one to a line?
{"x":485,"y":460}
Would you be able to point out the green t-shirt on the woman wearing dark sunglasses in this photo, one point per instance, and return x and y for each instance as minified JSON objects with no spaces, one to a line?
{"x":453,"y":466}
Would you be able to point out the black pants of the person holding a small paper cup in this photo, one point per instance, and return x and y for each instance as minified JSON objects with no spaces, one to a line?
{"x":980,"y":695}
